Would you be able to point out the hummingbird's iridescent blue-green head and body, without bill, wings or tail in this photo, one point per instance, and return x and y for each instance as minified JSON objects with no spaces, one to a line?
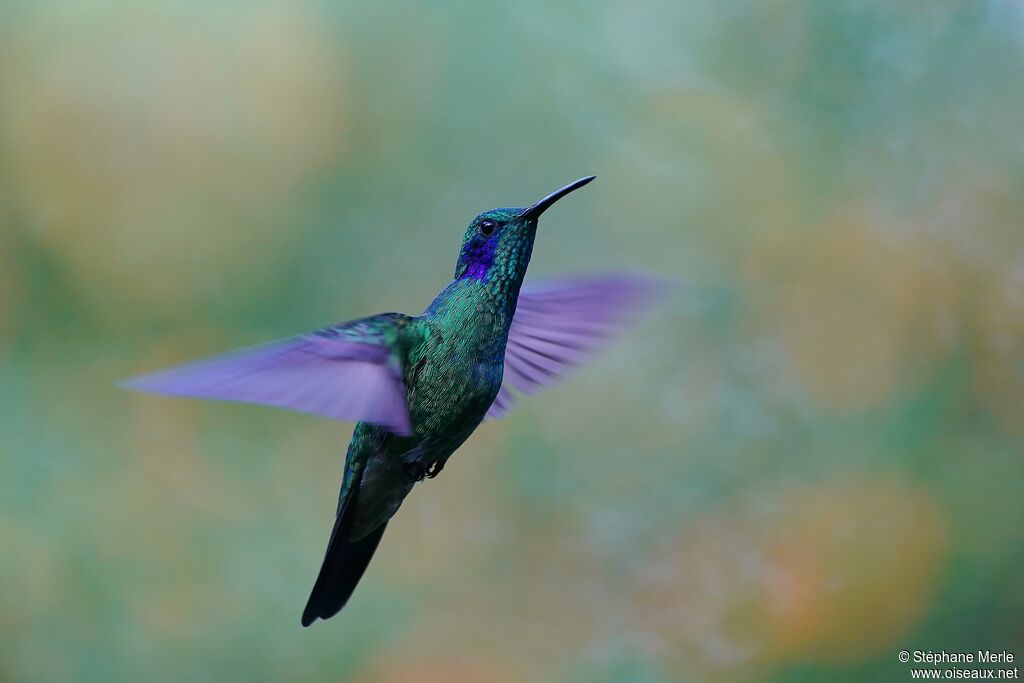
{"x":453,"y":358}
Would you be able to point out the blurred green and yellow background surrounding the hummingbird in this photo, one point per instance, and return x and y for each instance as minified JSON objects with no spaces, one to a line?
{"x":812,"y":458}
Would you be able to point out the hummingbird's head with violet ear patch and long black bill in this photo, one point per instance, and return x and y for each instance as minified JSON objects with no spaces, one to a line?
{"x":498,"y":243}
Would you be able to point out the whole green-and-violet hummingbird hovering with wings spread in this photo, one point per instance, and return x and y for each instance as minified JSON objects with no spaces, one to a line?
{"x":418,"y":387}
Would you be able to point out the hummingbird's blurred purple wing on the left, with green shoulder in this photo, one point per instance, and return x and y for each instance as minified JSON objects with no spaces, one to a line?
{"x":347,"y":372}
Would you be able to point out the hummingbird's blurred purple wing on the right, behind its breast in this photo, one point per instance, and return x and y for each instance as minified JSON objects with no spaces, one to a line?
{"x":560,"y":325}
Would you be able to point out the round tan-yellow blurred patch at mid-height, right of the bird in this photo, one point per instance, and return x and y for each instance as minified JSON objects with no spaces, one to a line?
{"x":858,"y":316}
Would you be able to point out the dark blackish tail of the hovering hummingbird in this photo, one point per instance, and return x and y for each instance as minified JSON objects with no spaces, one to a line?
{"x":344,"y":566}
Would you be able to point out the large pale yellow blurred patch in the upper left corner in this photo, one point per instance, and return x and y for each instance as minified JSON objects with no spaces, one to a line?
{"x":156,"y":149}
